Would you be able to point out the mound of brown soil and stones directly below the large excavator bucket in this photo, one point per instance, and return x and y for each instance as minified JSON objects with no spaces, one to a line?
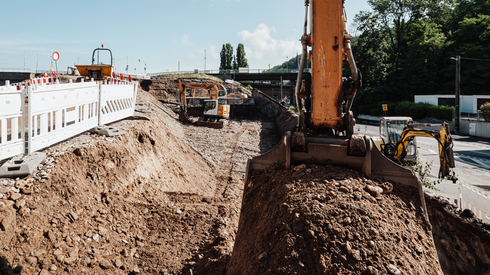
{"x":321,"y":220}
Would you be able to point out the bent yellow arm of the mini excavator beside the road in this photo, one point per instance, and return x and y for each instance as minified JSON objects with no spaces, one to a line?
{"x":443,"y":138}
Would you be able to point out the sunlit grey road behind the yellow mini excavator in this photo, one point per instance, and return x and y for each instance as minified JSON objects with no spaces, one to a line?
{"x":471,"y":155}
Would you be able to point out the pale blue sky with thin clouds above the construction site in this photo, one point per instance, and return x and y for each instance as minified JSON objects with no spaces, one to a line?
{"x":165,"y":35}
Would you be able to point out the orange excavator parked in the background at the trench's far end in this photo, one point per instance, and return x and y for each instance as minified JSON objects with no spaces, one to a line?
{"x":215,"y":109}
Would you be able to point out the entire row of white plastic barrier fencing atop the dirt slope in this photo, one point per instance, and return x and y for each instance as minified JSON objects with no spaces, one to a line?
{"x":56,"y":111}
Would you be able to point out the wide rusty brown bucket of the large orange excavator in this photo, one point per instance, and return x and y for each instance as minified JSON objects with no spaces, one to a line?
{"x":357,"y":153}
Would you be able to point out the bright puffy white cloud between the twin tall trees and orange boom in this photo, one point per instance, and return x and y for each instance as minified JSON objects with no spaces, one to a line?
{"x":260,"y":43}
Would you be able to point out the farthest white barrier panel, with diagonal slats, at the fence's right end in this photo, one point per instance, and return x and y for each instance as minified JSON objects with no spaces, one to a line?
{"x":117,"y":101}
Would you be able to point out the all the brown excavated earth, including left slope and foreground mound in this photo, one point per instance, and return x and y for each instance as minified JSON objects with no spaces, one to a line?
{"x":166,"y":198}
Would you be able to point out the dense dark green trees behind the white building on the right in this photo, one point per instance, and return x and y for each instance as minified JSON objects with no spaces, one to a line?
{"x":403,"y":49}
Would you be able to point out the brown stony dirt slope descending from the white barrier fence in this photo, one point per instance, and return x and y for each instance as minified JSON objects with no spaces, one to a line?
{"x":146,"y":202}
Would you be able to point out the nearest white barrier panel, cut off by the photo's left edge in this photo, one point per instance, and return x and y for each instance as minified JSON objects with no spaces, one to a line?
{"x":12,"y":124}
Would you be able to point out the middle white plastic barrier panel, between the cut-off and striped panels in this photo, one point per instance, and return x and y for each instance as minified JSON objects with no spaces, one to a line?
{"x":60,"y":111}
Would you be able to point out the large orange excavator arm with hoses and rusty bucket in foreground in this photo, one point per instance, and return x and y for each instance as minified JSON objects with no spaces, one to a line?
{"x":325,"y":124}
